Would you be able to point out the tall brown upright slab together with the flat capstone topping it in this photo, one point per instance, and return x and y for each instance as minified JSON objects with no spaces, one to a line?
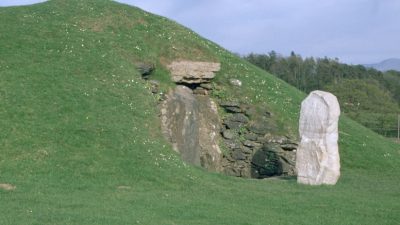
{"x":190,"y":118}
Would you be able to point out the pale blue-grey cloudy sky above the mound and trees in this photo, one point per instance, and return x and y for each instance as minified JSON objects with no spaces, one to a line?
{"x":355,"y":31}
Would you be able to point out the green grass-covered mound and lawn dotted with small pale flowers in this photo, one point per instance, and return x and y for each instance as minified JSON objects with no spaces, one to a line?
{"x":80,"y":136}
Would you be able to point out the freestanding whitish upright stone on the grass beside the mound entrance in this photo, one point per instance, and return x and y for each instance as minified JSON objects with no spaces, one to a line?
{"x":317,"y":157}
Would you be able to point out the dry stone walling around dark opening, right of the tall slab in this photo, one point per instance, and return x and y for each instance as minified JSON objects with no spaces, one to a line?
{"x":251,"y":149}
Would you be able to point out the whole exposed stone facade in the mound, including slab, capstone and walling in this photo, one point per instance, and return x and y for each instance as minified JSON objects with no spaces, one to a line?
{"x":191,"y":123}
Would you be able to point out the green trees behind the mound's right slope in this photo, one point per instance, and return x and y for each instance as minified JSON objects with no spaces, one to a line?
{"x":369,"y":96}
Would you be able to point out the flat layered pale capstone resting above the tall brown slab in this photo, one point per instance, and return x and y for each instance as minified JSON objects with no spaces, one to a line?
{"x":193,"y":72}
